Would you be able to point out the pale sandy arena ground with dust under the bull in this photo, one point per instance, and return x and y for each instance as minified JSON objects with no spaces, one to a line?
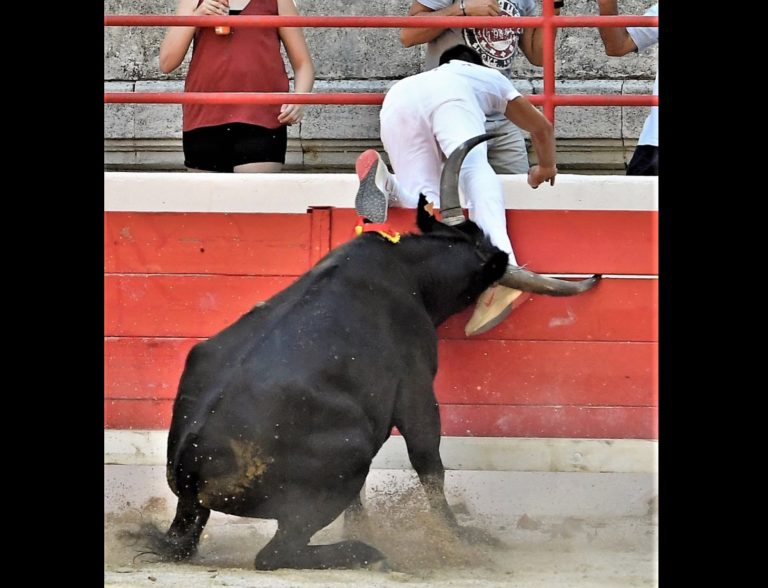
{"x":535,"y":552}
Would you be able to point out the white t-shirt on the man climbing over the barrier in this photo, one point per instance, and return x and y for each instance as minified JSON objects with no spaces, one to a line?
{"x":482,"y":89}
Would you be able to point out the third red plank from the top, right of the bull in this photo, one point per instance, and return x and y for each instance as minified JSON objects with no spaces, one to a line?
{"x":547,"y":372}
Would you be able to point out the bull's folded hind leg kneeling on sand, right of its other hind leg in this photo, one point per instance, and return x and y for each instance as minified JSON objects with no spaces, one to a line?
{"x":290,"y":548}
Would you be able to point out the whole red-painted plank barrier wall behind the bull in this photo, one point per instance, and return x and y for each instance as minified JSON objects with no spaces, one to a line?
{"x":580,"y":367}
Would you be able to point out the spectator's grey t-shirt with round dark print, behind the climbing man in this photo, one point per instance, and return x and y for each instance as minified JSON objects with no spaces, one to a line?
{"x":497,"y":47}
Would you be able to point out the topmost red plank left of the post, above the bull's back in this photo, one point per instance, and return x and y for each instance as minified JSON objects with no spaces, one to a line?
{"x":206,"y":243}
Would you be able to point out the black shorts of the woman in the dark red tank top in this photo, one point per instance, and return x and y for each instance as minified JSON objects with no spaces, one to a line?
{"x":222,"y":147}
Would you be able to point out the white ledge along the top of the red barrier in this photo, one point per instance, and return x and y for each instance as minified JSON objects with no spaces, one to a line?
{"x":209,"y":192}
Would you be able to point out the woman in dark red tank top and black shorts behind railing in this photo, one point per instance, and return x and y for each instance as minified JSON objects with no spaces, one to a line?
{"x":238,"y":137}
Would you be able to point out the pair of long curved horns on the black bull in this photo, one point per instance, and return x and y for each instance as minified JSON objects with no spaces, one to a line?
{"x":515,"y":276}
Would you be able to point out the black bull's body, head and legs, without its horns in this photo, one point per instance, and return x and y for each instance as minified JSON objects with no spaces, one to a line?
{"x":280,"y":414}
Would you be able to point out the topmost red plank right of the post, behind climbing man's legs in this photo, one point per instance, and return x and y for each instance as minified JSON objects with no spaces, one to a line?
{"x":558,"y":241}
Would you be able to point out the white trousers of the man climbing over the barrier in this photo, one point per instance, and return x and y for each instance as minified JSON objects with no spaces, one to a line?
{"x":417,"y":149}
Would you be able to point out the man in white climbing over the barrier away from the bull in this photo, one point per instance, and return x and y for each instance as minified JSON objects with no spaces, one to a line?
{"x":423,"y":119}
